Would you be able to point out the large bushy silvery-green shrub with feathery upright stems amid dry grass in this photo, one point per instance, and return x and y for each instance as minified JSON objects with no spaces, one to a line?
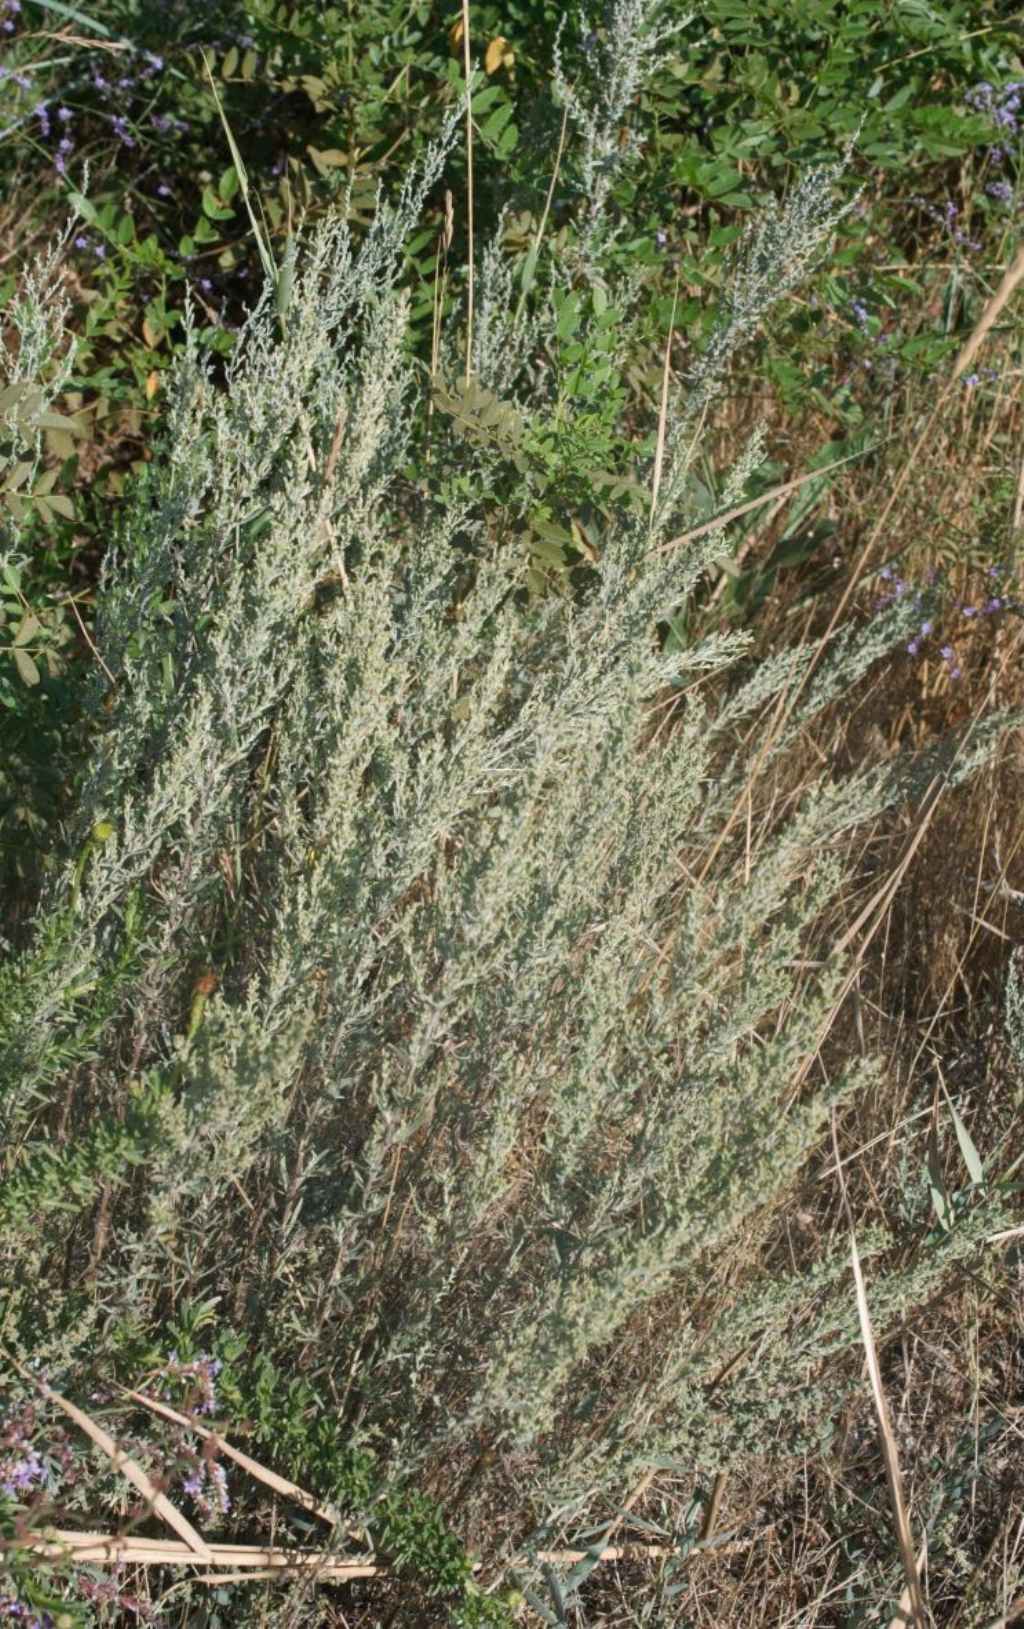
{"x":379,"y":978}
